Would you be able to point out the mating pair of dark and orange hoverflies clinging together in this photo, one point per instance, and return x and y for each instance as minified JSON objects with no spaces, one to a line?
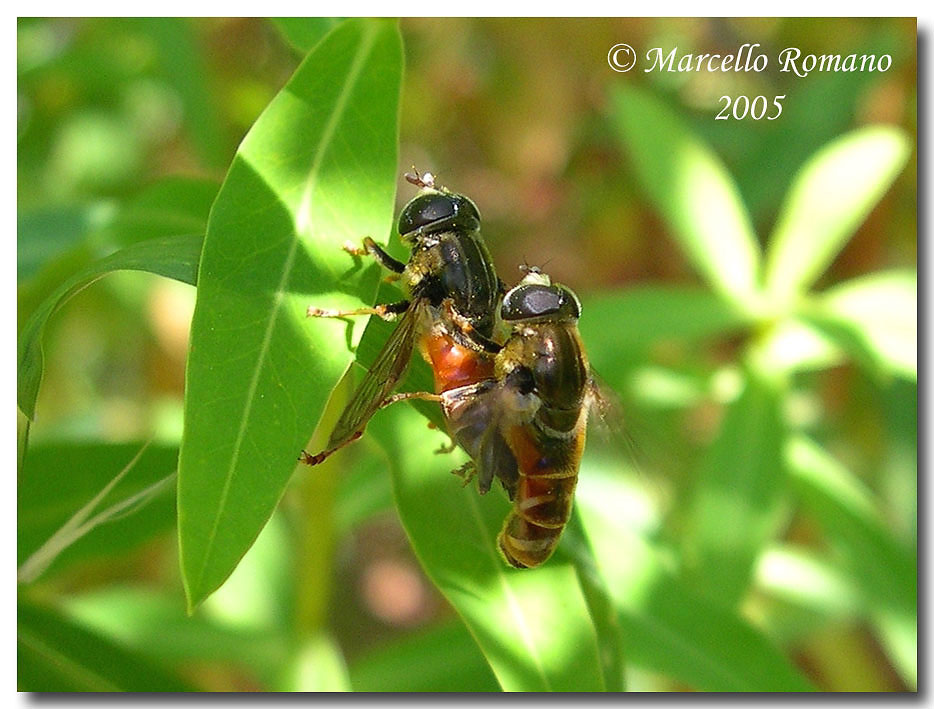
{"x":510,"y":370}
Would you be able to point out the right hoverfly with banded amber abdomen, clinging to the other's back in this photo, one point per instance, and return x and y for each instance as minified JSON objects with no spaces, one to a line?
{"x":527,"y":425}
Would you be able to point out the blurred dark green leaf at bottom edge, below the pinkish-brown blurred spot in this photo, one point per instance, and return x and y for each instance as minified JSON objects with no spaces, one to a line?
{"x":446,"y":657}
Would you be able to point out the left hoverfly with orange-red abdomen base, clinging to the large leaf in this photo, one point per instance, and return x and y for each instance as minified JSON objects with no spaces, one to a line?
{"x":450,"y":270}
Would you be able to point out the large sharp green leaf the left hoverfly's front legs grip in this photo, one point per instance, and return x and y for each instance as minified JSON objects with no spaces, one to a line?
{"x":316,"y":169}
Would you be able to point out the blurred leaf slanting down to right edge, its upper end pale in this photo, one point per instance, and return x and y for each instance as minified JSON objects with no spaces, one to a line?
{"x":882,"y":568}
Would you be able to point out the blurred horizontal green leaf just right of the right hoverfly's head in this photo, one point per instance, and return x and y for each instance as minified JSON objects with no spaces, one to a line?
{"x":638,"y":318}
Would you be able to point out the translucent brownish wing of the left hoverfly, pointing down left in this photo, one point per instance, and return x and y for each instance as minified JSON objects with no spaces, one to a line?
{"x":380,"y":380}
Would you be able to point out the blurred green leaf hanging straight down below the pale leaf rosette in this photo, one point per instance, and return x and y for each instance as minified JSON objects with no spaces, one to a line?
{"x":734,"y":509}
